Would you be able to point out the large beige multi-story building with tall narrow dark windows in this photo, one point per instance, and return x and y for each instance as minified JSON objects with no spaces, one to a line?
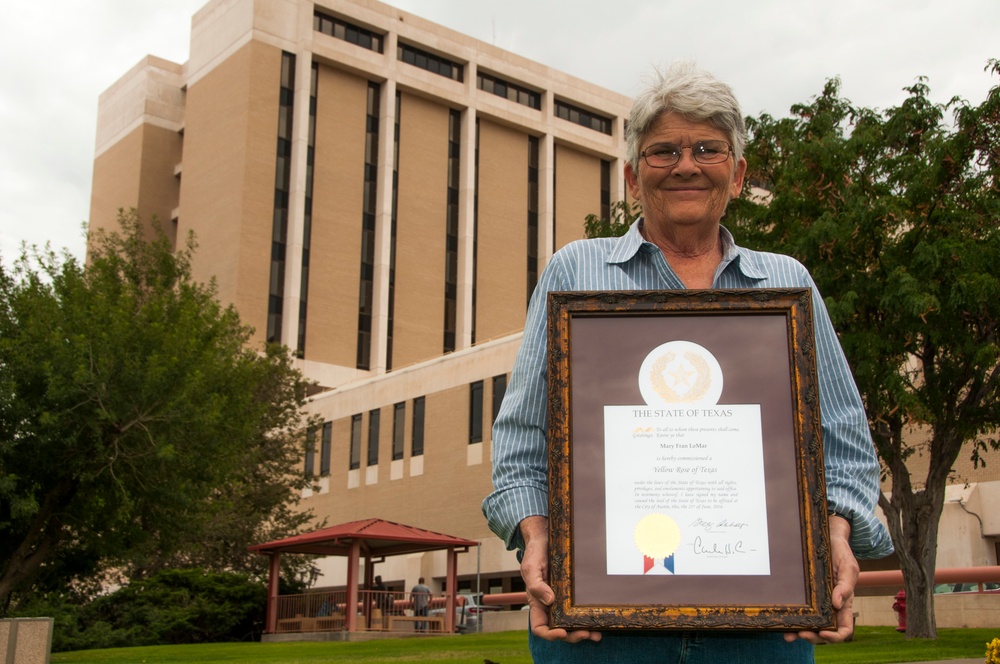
{"x":380,"y":193}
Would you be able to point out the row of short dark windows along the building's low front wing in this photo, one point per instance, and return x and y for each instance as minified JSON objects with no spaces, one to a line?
{"x":499,"y":384}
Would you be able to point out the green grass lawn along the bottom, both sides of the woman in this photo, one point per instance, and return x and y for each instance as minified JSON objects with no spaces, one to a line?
{"x":872,"y":645}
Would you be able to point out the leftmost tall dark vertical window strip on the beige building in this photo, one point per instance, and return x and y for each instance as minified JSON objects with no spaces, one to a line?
{"x":282,"y":187}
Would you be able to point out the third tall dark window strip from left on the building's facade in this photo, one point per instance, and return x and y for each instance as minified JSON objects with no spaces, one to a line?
{"x":366,"y":306}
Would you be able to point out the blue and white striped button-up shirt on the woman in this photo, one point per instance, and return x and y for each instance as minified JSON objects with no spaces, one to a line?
{"x":520,"y":473}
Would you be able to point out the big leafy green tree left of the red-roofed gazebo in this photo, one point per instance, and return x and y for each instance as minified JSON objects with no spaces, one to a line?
{"x":138,"y":428}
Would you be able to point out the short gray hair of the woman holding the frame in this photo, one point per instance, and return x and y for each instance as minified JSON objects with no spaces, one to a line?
{"x":695,"y":94}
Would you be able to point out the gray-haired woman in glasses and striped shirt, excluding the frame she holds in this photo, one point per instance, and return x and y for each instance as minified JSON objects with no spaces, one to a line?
{"x":685,"y":142}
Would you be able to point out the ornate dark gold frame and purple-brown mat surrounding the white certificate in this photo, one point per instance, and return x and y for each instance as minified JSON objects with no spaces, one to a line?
{"x":591,"y":356}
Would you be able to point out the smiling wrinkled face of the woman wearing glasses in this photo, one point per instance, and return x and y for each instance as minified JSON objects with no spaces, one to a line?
{"x":689,"y":193}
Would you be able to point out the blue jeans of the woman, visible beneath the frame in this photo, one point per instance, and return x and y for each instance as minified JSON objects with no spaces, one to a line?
{"x":679,"y":648}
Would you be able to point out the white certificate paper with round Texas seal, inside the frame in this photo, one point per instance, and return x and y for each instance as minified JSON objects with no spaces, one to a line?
{"x":685,"y":491}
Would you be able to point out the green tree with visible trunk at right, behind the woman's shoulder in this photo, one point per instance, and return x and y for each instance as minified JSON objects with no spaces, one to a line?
{"x":895,"y":214}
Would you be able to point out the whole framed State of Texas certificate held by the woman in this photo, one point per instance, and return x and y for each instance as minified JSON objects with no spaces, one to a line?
{"x":686,"y":477}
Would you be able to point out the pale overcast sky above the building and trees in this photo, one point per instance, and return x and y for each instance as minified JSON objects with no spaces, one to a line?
{"x":57,"y":56}
